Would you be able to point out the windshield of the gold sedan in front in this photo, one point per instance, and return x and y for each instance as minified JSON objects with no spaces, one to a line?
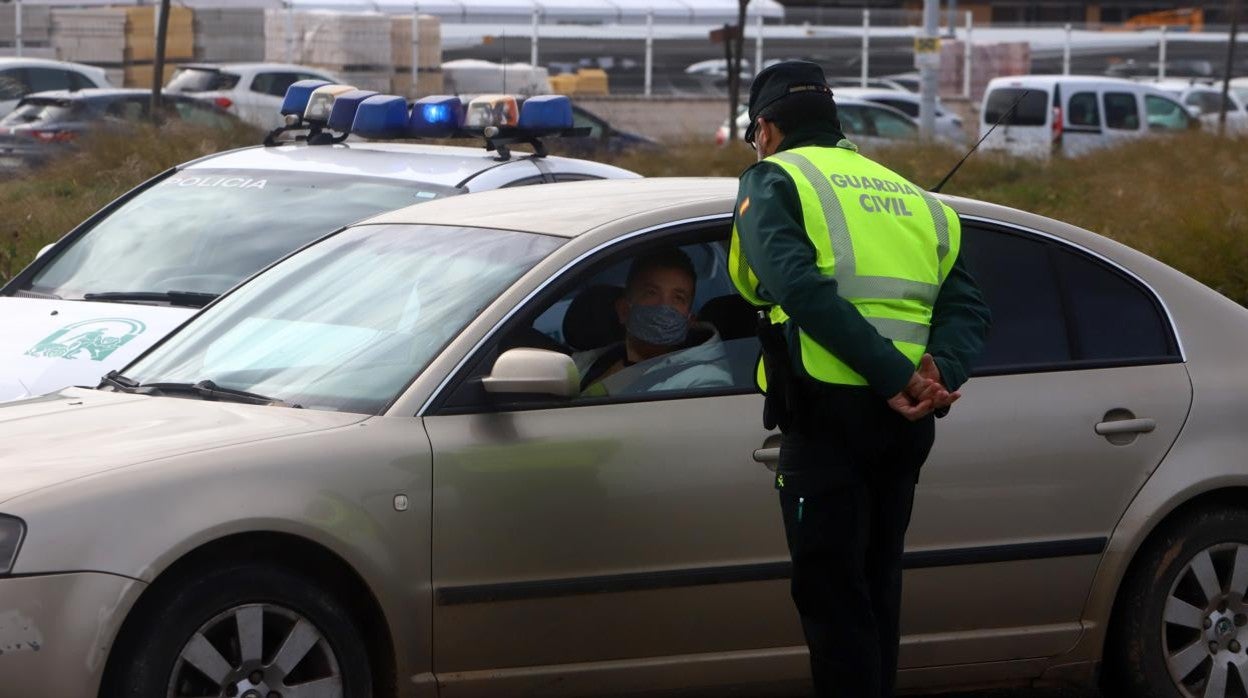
{"x":349,"y":323}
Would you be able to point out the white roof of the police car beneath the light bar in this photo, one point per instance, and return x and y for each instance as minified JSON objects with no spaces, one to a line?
{"x":419,"y":163}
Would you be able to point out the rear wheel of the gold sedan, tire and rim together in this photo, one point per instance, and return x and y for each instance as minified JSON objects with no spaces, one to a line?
{"x":1181,"y":624}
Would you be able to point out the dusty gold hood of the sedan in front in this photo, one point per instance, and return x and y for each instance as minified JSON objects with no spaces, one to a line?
{"x":79,"y":433}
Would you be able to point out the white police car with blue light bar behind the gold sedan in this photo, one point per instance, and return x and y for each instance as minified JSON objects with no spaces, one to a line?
{"x":144,"y":264}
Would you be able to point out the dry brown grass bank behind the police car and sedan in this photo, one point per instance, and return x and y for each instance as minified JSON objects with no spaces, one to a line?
{"x":1179,"y":199}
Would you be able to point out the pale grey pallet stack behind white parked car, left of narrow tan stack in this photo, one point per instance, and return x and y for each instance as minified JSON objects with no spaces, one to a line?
{"x":354,"y":46}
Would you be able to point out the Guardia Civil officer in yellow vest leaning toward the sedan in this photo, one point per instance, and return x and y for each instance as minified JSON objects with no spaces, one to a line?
{"x":872,"y":323}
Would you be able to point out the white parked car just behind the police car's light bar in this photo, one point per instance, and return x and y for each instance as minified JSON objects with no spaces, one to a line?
{"x":251,"y":92}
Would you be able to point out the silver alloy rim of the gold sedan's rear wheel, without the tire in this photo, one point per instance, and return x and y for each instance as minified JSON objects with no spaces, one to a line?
{"x":1205,"y":634}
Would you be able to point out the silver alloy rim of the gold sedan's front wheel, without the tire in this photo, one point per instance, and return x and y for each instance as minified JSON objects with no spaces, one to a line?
{"x":256,"y":651}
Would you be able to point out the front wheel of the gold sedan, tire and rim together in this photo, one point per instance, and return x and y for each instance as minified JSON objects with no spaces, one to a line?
{"x":244,"y":631}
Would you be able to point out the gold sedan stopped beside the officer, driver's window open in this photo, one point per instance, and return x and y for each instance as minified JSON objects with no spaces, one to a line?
{"x":374,"y":470}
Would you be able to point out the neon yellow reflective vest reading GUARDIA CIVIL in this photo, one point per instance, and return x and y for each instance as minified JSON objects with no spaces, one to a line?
{"x":858,"y":215}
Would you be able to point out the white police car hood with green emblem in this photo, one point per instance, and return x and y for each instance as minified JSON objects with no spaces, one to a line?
{"x":47,"y":345}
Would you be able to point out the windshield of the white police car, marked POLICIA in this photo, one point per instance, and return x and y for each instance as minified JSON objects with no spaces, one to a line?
{"x":207,"y":230}
